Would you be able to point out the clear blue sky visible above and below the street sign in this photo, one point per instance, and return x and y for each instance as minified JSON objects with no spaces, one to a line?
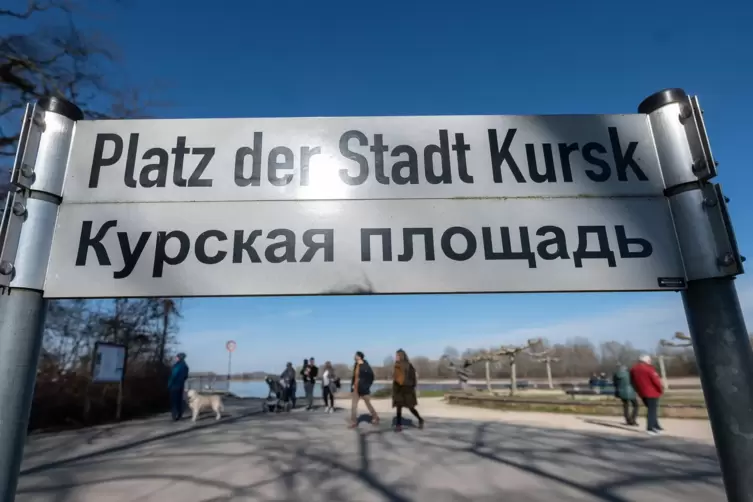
{"x":336,"y":58}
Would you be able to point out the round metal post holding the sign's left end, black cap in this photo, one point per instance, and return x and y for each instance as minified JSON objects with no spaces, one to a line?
{"x":28,"y":223}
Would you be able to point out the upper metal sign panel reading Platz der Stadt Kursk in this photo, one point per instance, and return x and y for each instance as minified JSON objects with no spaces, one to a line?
{"x":362,"y":158}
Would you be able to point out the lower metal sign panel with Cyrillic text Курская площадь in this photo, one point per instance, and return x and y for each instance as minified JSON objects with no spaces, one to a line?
{"x":365,"y":246}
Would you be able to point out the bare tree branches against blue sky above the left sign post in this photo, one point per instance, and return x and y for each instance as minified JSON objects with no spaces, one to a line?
{"x":44,"y":53}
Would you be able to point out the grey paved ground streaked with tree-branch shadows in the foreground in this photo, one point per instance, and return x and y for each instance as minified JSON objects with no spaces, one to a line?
{"x":313,"y":456}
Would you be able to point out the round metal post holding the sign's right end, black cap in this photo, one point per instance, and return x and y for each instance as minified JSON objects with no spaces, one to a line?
{"x":711,"y":257}
